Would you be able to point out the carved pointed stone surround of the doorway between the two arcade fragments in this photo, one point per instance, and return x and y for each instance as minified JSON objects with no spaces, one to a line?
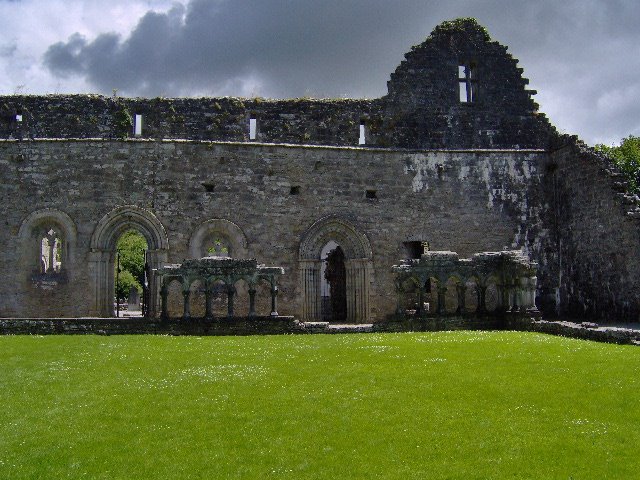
{"x":358,"y":264}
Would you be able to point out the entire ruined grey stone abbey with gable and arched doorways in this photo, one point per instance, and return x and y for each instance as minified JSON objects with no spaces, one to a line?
{"x":455,"y":158}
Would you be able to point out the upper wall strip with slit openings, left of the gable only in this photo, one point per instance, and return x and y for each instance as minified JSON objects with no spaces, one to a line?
{"x":297,"y":121}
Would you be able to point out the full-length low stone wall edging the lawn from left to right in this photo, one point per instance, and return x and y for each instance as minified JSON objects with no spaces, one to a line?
{"x":289,"y":325}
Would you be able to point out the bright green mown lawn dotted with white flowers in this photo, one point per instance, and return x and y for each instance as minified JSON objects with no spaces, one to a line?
{"x":431,"y":405}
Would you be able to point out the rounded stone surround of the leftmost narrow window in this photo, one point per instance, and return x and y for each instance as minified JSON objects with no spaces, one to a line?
{"x":34,"y":227}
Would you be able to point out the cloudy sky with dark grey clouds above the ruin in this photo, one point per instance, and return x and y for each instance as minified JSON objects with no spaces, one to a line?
{"x":583,"y":56}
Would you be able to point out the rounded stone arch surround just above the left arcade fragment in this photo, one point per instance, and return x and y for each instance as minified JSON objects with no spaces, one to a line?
{"x":233,"y":236}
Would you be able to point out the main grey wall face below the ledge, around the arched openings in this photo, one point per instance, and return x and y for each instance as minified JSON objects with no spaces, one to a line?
{"x":465,"y":201}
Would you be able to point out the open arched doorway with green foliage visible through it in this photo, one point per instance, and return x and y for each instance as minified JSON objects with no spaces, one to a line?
{"x":131,"y":275}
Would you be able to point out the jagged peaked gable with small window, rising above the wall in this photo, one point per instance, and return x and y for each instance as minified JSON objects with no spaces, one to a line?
{"x":426,"y":108}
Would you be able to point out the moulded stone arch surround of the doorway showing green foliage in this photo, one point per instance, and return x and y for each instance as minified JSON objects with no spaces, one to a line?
{"x":102,"y":256}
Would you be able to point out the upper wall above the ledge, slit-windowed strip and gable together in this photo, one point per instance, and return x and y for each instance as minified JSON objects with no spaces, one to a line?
{"x":422,"y":109}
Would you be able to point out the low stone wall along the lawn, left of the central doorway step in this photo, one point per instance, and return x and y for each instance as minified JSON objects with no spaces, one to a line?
{"x":137,"y":325}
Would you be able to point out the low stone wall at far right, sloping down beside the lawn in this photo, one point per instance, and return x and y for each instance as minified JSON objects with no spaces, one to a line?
{"x":583,"y":331}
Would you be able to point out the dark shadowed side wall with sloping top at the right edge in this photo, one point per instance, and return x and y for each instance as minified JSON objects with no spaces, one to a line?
{"x":593,"y":251}
